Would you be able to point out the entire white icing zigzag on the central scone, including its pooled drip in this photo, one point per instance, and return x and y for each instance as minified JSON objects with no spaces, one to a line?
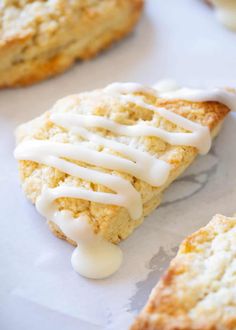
{"x":92,"y":257}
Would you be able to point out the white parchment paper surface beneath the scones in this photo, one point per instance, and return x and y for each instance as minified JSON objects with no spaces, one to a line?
{"x":38,"y":288}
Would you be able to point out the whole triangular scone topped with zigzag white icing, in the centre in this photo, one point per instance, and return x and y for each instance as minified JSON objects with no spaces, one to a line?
{"x":108,"y":155}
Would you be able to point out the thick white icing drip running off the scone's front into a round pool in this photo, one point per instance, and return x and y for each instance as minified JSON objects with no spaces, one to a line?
{"x":94,"y":257}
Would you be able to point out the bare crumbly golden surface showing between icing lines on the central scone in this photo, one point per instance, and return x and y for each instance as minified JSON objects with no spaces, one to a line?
{"x":113,"y":222}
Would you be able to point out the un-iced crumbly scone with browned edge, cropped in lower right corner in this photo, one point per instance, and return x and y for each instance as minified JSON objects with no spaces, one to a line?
{"x":198,"y":291}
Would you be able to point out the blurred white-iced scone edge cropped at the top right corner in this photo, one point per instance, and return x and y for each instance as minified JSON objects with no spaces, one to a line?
{"x":226,"y":12}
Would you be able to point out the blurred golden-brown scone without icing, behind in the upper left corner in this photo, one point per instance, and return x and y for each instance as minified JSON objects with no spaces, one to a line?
{"x":41,"y":38}
